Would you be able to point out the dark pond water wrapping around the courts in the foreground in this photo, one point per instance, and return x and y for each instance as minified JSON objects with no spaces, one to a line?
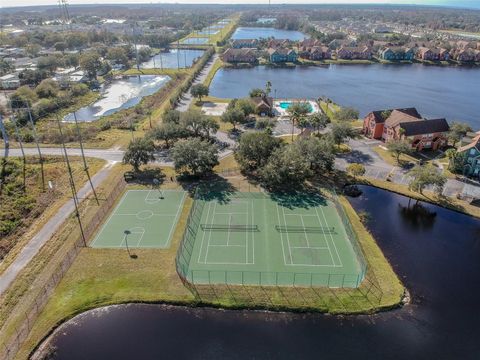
{"x":436,"y":253}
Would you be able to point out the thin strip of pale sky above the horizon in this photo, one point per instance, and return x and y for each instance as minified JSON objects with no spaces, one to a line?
{"x":458,"y":3}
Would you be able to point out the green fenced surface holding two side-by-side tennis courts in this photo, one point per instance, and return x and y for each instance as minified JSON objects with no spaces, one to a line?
{"x":255,"y":239}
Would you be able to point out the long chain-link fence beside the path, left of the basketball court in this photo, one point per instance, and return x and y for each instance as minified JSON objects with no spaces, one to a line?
{"x":32,"y":303}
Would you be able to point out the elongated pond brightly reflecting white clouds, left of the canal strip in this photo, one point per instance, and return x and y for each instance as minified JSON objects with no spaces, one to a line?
{"x":120,"y":94}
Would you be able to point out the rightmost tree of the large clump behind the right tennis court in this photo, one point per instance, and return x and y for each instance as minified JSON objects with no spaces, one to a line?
{"x":318,"y":153}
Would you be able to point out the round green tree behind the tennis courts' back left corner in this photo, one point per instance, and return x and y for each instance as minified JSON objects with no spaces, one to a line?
{"x":195,"y":157}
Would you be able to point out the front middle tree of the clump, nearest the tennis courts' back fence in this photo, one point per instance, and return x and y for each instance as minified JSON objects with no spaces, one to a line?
{"x":285,"y":169}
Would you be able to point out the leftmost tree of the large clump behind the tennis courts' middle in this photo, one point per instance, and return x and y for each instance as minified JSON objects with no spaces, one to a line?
{"x":254,"y":149}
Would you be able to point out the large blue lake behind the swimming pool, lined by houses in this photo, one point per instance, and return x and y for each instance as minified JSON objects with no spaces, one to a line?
{"x":450,"y":92}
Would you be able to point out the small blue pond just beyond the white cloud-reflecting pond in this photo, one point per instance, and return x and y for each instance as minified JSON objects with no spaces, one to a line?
{"x":182,"y":58}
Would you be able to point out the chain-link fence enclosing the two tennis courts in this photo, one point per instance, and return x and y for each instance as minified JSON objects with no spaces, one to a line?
{"x":194,"y":278}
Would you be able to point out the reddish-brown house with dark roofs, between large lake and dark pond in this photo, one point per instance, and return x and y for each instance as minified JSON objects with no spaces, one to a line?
{"x":406,"y":124}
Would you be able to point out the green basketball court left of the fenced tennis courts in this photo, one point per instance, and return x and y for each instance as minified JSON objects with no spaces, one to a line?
{"x":142,"y":219}
